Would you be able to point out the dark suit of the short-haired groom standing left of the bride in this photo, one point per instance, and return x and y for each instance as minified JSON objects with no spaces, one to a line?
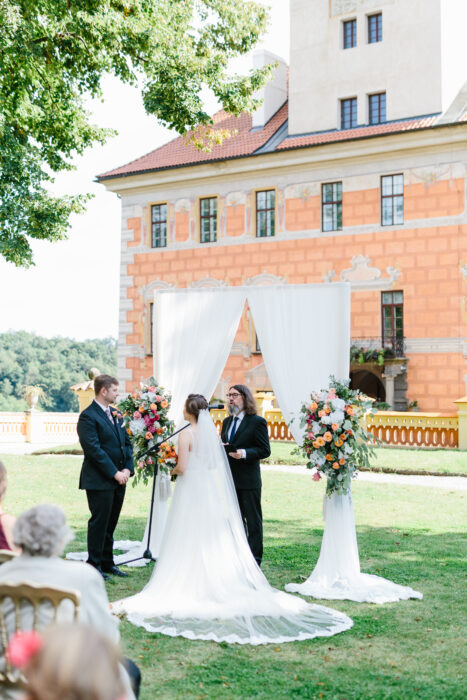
{"x":107,"y":449}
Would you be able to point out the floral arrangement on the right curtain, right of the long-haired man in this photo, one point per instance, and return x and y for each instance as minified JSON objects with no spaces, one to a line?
{"x":336,"y":441}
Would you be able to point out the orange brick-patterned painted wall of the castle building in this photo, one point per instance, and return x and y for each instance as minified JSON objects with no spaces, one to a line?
{"x":428,"y":260}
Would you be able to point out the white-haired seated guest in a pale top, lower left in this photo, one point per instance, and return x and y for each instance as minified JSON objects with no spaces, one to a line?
{"x":42,"y":533}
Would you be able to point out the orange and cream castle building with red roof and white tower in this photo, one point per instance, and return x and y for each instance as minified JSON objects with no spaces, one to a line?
{"x":353,"y":169}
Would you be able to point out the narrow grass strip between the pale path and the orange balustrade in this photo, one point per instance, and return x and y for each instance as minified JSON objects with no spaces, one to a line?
{"x":392,"y":459}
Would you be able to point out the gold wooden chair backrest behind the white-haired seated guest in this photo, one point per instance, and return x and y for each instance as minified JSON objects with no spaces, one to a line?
{"x":28,"y":597}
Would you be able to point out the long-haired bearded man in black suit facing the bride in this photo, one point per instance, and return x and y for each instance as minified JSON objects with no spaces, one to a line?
{"x":245,"y":436}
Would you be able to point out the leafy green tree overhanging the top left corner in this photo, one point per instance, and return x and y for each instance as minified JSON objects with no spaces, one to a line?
{"x":55,"y":52}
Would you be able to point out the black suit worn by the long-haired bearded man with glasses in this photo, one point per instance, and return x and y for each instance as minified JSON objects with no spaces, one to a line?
{"x":251,"y":436}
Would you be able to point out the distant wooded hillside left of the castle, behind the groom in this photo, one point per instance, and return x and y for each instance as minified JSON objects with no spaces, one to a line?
{"x":54,"y":363}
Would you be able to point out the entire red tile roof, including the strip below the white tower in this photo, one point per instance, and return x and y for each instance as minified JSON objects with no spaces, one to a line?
{"x":177,"y":153}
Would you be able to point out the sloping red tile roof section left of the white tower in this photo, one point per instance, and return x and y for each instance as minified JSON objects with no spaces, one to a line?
{"x":177,"y":152}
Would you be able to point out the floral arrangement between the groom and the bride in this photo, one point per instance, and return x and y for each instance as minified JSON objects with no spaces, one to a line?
{"x":145,"y":412}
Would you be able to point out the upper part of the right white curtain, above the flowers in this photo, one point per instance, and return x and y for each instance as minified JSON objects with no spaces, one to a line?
{"x":304,"y":334}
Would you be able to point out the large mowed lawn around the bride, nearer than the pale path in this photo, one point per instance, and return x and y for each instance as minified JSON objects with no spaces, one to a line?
{"x":405,"y":650}
